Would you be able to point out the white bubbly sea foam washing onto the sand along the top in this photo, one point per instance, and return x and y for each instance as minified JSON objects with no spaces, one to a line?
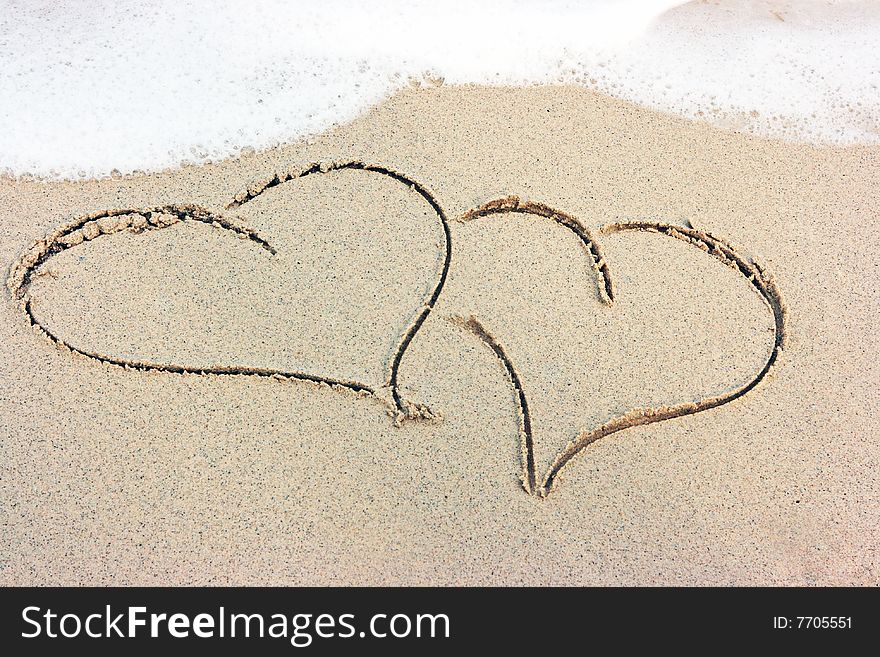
{"x":88,"y":88}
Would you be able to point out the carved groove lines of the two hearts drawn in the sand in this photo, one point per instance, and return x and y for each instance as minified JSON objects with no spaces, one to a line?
{"x":113,"y":222}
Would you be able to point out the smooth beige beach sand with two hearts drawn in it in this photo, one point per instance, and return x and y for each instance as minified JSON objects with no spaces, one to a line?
{"x":497,"y":336}
